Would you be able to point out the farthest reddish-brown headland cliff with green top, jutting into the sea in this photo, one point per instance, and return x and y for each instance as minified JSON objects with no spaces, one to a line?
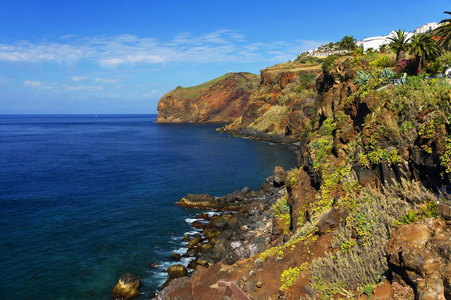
{"x":218,"y":101}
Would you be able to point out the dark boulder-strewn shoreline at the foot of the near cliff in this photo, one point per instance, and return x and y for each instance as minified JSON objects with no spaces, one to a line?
{"x":242,"y":226}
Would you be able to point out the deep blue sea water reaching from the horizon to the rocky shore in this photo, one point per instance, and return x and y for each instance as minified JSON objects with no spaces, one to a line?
{"x":85,"y":199}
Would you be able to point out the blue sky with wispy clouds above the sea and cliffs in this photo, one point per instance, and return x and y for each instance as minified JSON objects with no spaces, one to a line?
{"x":99,"y":57}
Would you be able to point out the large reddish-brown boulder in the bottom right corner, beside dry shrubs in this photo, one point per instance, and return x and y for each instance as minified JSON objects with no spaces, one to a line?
{"x":422,"y":259}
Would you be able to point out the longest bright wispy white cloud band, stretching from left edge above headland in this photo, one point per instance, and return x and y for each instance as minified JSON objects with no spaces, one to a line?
{"x":126,"y":49}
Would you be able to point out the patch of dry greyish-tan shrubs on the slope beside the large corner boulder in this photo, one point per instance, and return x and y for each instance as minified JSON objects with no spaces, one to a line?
{"x":362,"y":261}
